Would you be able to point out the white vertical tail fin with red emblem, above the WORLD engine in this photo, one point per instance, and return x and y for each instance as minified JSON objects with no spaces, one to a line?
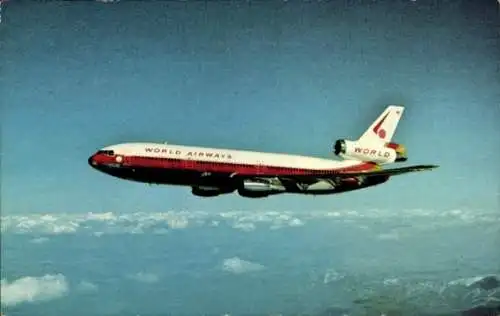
{"x":383,"y":128}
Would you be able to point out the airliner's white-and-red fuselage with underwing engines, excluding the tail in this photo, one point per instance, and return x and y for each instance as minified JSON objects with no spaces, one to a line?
{"x":214,"y":171}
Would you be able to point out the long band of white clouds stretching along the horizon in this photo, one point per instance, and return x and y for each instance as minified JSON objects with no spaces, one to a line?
{"x":163,"y":222}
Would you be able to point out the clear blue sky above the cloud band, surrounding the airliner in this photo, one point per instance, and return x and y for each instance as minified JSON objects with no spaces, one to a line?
{"x":280,"y":77}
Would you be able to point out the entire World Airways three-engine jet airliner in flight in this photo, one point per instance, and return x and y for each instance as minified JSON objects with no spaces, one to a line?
{"x":212,"y":172}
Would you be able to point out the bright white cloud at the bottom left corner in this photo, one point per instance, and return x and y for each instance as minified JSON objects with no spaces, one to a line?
{"x":33,"y":289}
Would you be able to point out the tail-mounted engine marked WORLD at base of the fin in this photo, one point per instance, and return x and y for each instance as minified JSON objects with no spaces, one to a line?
{"x":388,"y":153}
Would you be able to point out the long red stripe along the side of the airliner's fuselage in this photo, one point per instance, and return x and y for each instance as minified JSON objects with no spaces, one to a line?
{"x":224,"y":167}
